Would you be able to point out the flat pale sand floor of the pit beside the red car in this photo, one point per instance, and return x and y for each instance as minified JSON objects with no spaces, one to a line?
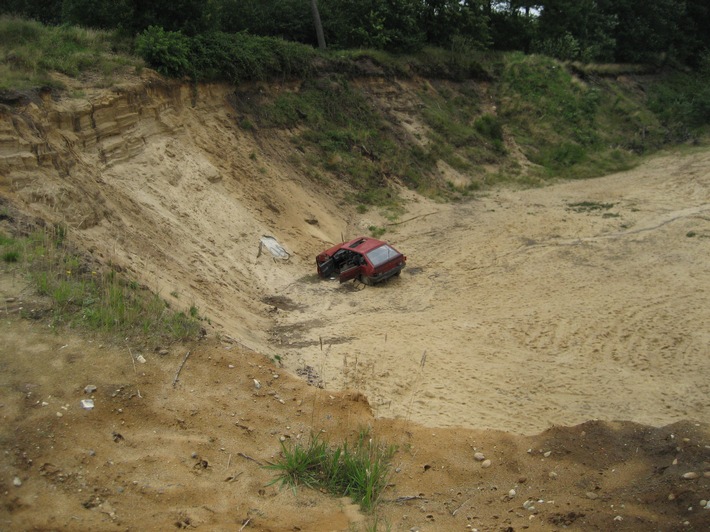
{"x":529,"y":311}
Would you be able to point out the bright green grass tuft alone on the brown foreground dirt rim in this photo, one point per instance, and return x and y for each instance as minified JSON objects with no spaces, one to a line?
{"x":360,"y":470}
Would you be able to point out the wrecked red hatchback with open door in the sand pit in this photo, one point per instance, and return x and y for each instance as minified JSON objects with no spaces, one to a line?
{"x":368,"y":259}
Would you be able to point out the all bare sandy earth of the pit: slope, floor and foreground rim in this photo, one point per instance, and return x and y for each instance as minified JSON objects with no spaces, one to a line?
{"x":567,"y":344}
